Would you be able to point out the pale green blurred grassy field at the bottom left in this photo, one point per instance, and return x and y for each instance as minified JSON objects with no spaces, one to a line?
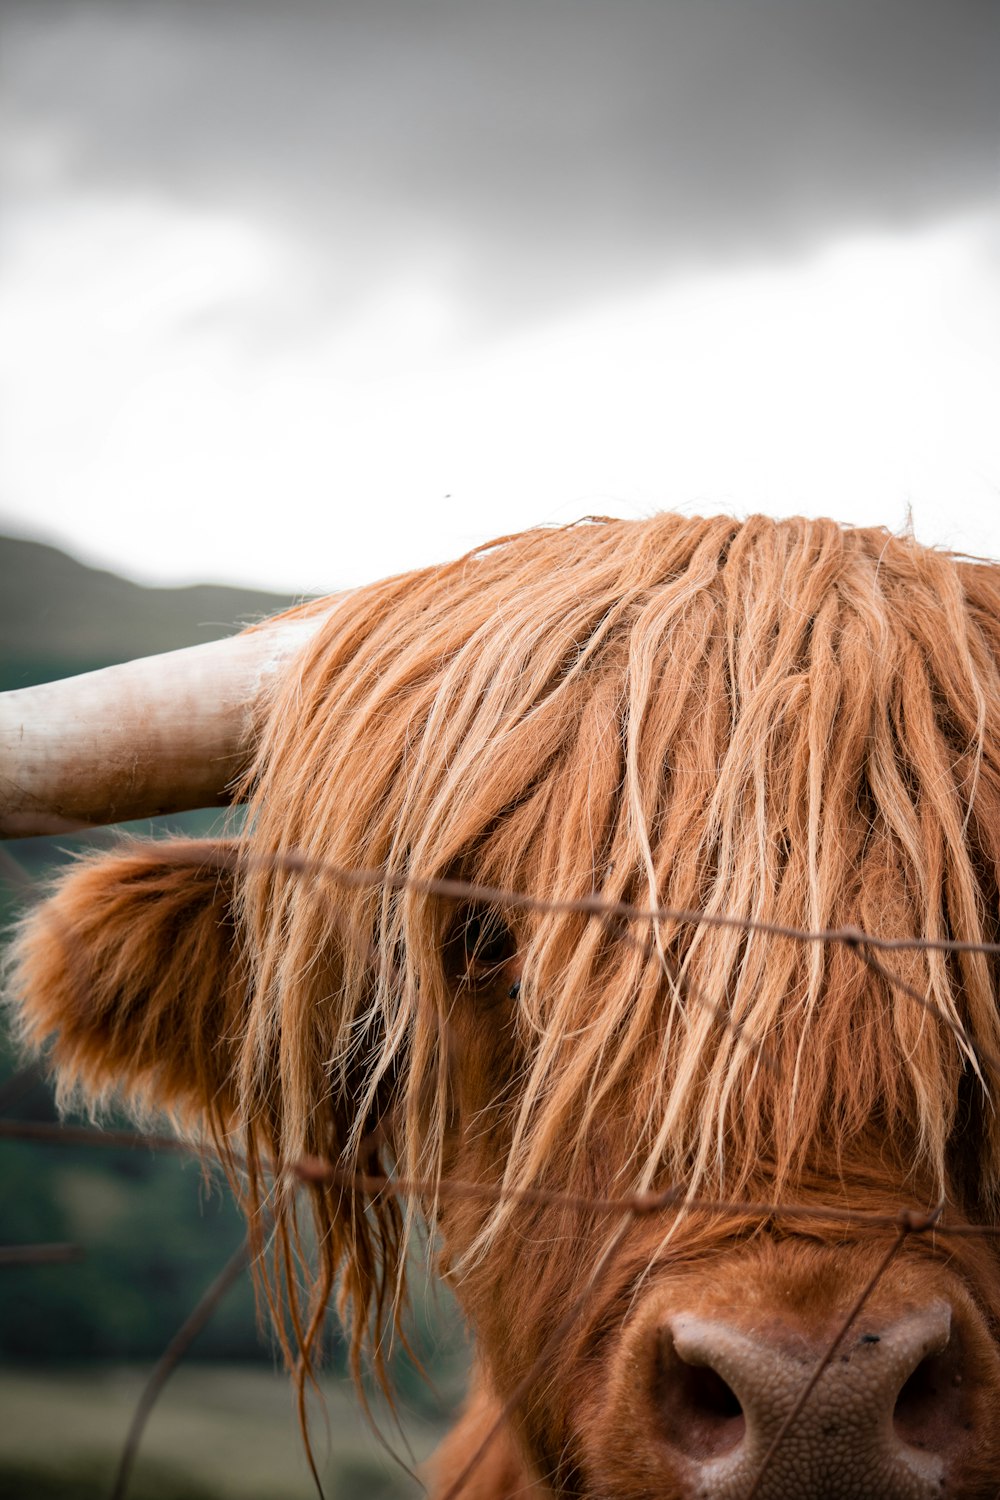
{"x":218,"y":1433}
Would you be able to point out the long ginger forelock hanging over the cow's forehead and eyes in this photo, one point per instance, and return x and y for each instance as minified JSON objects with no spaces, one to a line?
{"x":792,"y":722}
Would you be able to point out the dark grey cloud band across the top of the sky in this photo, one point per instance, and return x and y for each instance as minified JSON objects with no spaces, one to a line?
{"x":543,"y":149}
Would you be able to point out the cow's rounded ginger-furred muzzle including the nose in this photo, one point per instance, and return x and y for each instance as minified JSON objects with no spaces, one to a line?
{"x":758,"y":1378}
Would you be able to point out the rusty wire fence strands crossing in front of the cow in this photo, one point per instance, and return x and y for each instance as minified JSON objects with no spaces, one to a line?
{"x":867,"y":947}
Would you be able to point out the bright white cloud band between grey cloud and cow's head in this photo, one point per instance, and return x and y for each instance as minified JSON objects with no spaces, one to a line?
{"x":160,"y":421}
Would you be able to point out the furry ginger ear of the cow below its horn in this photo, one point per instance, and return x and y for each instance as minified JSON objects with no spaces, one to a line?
{"x":131,"y":973}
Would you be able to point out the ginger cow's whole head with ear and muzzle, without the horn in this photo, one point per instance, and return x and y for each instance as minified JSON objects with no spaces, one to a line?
{"x":398,"y":970}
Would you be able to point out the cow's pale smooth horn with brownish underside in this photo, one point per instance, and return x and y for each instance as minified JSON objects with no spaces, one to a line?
{"x":158,"y":736}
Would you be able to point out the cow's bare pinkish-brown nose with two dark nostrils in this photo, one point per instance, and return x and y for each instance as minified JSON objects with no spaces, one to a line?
{"x":885,"y":1418}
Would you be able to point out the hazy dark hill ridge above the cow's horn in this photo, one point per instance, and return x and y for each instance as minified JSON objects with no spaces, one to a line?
{"x":59,"y":617}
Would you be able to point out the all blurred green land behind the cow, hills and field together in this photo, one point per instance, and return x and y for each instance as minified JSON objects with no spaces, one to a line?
{"x":151,"y":1234}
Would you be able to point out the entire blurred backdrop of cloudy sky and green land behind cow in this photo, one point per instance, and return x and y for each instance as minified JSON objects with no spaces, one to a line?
{"x":298,"y":295}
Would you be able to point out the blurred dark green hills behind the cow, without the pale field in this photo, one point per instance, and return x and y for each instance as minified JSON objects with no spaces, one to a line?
{"x":148,"y":1259}
